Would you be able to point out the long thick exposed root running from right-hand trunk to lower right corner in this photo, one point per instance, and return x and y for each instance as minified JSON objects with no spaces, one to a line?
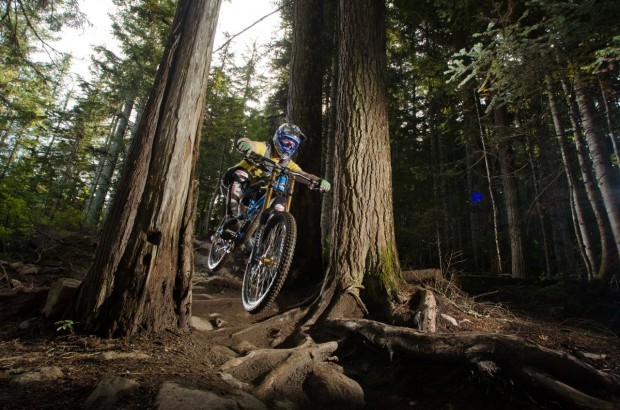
{"x":555,"y":374}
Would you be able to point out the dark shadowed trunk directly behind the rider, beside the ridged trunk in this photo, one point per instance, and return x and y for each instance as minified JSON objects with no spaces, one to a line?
{"x":304,"y":109}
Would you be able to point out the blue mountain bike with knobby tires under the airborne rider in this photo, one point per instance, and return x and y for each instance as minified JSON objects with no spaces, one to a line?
{"x":271,"y":235}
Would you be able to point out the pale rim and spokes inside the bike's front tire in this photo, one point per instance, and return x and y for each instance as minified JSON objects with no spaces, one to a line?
{"x":261,"y":275}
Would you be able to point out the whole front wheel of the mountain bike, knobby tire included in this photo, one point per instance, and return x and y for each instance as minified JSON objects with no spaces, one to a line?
{"x":269,"y":262}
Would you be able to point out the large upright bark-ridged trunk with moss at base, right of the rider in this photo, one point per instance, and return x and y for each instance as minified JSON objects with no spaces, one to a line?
{"x":363,"y":252}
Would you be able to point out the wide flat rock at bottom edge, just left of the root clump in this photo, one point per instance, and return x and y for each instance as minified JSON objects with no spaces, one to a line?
{"x":171,"y":396}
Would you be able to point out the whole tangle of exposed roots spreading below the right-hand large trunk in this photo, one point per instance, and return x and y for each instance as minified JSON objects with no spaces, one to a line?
{"x":287,"y":378}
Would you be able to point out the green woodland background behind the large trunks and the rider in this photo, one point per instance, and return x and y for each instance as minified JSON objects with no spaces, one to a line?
{"x":503,"y":117}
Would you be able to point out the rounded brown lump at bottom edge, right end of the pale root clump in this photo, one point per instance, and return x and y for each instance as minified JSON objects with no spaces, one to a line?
{"x":328,"y":387}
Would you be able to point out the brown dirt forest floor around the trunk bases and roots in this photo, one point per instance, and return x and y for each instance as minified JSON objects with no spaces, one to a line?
{"x":42,"y":367}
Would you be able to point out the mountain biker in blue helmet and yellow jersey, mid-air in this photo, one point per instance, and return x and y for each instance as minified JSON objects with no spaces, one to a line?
{"x":280,"y":148}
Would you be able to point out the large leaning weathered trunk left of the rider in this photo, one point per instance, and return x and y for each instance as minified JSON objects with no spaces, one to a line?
{"x":140,"y":278}
